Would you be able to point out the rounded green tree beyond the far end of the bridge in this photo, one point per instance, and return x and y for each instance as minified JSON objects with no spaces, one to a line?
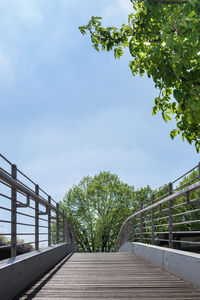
{"x":97,"y":207}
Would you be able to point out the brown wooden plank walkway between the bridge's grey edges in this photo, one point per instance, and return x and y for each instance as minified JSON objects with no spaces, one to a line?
{"x":109,"y":276}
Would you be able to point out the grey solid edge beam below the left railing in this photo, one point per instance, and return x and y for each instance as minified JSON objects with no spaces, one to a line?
{"x":18,"y":273}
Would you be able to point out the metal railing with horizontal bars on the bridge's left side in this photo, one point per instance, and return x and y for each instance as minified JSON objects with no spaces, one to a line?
{"x":28,"y":211}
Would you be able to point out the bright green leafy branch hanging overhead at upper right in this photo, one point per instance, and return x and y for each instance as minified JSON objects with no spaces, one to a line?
{"x":163,"y":37}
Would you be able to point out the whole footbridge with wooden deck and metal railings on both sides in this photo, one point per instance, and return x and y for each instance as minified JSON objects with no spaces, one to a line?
{"x":156,"y":254}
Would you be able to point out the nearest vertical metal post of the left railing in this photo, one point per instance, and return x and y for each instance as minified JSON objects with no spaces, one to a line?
{"x":13,"y":214}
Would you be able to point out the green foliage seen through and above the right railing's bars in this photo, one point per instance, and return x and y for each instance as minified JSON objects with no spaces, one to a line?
{"x":185,"y":218}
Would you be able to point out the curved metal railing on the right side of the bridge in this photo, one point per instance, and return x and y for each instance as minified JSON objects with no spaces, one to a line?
{"x":170,"y":217}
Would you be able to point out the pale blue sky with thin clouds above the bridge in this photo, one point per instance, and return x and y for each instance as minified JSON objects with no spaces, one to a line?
{"x":68,"y":111}
